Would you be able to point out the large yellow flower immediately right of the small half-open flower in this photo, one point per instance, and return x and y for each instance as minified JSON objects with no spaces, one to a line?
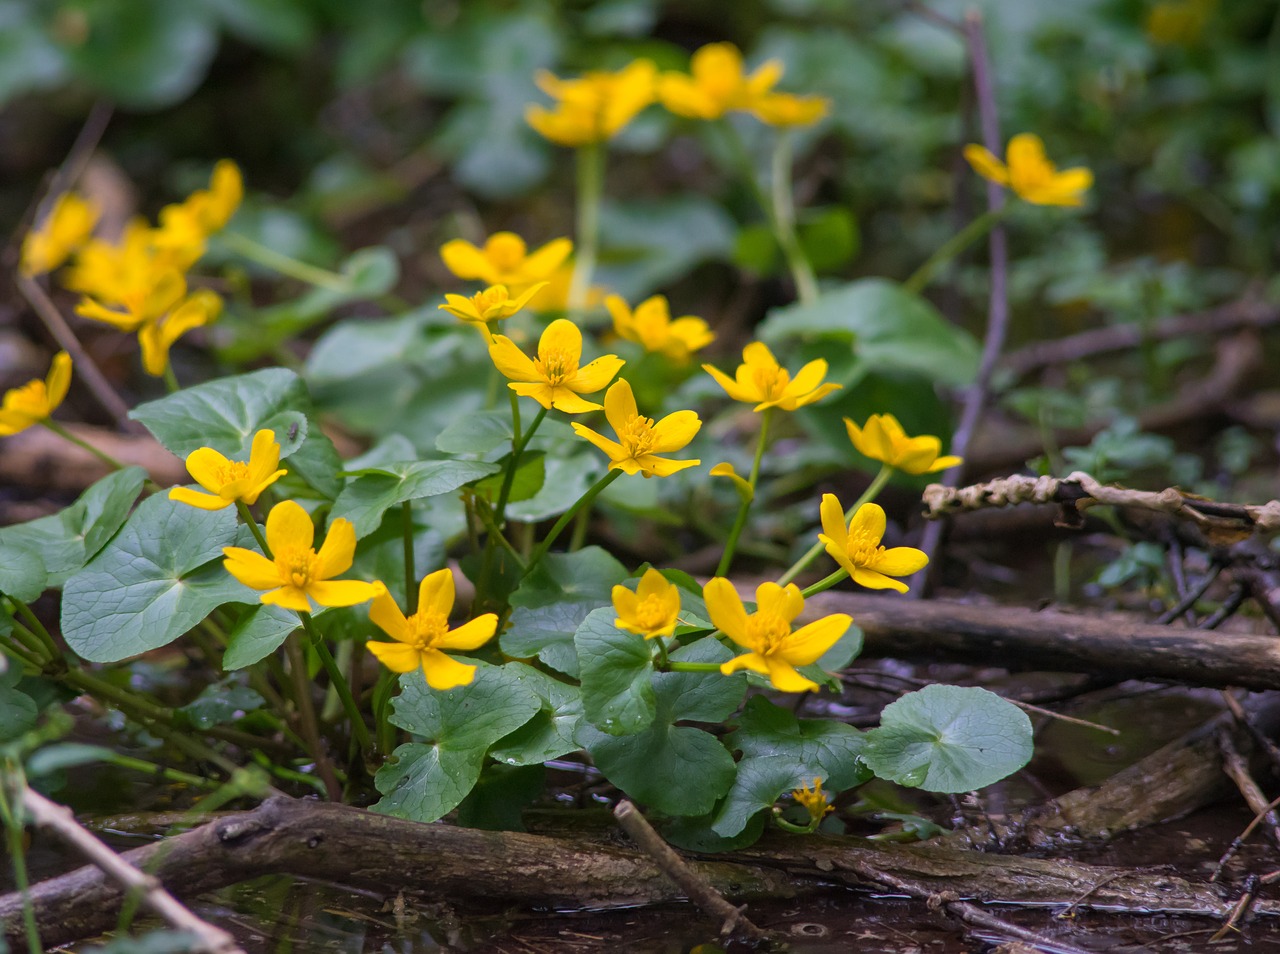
{"x":776,"y":651}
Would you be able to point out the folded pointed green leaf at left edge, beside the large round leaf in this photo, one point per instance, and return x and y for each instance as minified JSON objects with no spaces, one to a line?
{"x":70,"y":540}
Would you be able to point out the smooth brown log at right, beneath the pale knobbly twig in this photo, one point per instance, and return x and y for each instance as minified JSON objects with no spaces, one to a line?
{"x":1055,"y":642}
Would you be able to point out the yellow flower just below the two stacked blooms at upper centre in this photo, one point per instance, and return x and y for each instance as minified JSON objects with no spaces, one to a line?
{"x":555,"y":378}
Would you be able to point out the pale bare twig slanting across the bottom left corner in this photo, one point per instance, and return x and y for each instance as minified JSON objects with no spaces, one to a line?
{"x":60,"y":820}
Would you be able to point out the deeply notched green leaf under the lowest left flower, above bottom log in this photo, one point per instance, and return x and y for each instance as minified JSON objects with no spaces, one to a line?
{"x":424,"y":780}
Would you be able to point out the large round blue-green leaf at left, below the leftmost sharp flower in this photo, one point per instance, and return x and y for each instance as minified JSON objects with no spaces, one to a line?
{"x":153,"y":583}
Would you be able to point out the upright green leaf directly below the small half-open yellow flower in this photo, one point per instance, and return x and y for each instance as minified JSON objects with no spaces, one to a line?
{"x":616,"y":669}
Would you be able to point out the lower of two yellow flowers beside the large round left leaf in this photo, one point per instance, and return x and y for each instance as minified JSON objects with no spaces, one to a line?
{"x":298,"y":574}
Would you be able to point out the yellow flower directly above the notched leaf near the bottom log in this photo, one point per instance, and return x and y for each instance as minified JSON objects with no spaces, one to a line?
{"x":422,"y":637}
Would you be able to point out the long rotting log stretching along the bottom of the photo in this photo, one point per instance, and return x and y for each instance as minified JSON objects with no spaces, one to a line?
{"x":373,"y":852}
